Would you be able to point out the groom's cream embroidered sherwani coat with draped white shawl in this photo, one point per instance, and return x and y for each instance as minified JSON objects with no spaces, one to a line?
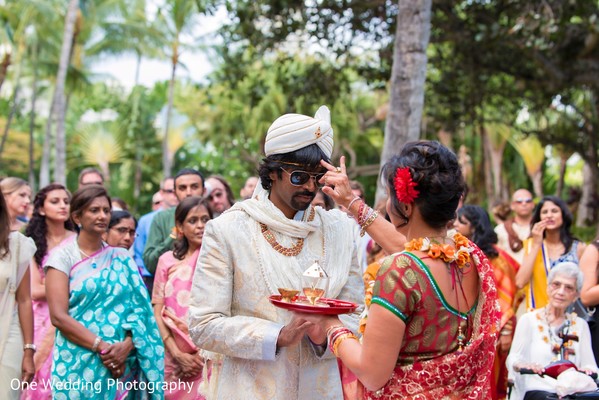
{"x":230,"y":313}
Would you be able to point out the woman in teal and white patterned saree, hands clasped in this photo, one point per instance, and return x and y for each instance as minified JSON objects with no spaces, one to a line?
{"x":107,"y":343}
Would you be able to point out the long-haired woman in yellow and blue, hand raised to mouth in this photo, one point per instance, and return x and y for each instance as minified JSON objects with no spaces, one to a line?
{"x":550,"y":243}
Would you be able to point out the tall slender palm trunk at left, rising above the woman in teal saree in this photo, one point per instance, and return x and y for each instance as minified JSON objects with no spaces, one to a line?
{"x":59,"y":95}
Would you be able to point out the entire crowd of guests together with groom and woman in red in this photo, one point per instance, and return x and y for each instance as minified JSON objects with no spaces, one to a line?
{"x":98,"y":304}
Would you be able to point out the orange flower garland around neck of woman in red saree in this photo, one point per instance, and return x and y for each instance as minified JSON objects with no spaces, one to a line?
{"x":460,"y":254}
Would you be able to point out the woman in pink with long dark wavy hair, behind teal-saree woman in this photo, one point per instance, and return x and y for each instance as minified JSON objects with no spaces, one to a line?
{"x":50,"y":227}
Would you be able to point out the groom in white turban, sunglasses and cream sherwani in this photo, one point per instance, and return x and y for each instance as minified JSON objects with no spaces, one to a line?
{"x":266,"y":243}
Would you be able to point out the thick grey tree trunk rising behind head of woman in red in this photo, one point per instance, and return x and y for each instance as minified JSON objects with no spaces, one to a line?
{"x":408,"y":75}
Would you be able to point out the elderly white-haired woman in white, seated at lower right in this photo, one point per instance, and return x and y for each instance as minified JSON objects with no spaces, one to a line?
{"x":538,"y":339}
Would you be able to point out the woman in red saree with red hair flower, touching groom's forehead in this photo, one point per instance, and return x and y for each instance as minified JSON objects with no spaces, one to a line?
{"x":432,"y":323}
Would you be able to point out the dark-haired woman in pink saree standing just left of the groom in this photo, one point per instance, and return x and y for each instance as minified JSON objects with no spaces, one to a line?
{"x":171,"y":296}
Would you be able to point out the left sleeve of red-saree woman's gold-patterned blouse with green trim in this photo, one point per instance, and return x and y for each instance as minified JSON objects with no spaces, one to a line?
{"x":396,"y":287}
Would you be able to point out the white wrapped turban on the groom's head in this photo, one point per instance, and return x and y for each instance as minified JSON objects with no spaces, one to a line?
{"x":291,"y":132}
